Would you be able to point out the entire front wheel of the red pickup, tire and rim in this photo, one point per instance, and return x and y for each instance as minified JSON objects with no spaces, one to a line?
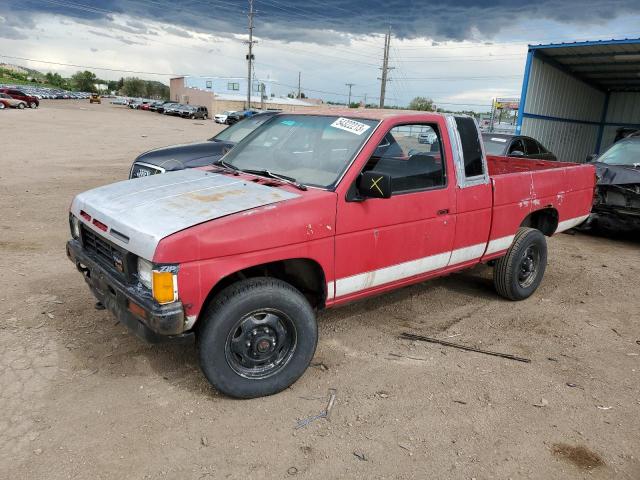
{"x":257,"y":338}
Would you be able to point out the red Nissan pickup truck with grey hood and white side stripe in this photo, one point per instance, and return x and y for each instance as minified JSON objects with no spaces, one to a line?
{"x":311,"y":211}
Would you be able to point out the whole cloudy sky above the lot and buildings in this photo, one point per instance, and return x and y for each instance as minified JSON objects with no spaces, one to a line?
{"x":460,"y":56}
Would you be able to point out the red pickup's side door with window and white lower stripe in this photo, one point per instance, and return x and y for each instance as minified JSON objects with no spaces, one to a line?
{"x":383,"y":242}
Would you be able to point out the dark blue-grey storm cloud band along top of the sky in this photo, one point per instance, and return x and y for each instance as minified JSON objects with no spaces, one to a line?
{"x":323,"y":23}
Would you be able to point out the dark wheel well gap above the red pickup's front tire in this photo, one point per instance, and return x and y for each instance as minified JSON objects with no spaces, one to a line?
{"x":304,"y":274}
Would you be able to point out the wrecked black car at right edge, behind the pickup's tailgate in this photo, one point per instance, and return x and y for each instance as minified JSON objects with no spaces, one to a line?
{"x":617,"y":202}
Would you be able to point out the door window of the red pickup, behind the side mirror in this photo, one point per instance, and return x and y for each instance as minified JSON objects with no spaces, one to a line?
{"x":412,"y":156}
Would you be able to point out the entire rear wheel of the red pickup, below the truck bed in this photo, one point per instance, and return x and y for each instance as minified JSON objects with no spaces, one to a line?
{"x":519,"y":273}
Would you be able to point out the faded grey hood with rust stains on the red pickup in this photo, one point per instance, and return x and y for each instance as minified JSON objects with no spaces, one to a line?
{"x":148,"y":209}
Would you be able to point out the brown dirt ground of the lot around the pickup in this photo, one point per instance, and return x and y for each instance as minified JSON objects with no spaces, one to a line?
{"x":82,"y":398}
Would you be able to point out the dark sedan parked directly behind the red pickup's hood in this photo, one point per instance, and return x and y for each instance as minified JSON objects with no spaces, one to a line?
{"x":192,"y":155}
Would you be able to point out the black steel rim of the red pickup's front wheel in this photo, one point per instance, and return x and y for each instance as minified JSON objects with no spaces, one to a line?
{"x":261,"y":343}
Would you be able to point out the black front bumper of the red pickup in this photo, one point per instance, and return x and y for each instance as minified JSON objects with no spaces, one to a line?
{"x":158,"y":324}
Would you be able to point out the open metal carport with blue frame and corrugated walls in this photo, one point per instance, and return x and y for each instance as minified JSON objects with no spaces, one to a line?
{"x":576,"y":95}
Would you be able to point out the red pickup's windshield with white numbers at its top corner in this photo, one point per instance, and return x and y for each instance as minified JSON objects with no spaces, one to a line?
{"x":313,"y":149}
